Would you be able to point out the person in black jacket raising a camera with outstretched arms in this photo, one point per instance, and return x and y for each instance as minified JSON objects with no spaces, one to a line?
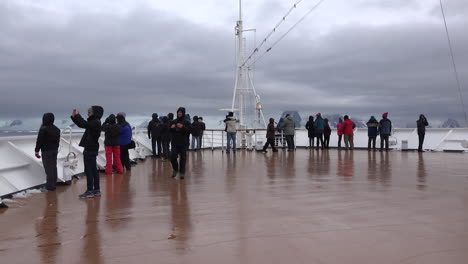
{"x":90,"y":142}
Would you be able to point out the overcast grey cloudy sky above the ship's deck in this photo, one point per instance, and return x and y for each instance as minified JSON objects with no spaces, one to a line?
{"x":357,"y":57}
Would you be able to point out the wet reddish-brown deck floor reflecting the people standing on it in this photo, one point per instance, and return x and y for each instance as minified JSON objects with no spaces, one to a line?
{"x":303,"y":207}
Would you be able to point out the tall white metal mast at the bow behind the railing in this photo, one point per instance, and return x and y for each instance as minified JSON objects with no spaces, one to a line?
{"x":245,"y":99}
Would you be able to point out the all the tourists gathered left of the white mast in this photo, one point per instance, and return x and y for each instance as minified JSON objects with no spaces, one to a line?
{"x":117,"y":142}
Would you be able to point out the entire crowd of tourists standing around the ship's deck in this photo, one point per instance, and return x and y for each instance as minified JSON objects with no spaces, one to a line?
{"x":170,"y":139}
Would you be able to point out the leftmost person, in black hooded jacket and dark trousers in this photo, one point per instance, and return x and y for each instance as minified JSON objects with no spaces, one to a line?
{"x":48,"y":140}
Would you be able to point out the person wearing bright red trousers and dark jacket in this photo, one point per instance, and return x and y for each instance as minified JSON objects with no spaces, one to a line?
{"x":112,"y":144}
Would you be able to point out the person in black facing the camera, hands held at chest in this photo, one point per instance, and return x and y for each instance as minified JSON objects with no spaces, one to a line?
{"x":180,"y":129}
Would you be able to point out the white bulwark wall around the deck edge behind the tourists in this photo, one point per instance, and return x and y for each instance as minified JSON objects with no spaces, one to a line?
{"x":20,"y":170}
